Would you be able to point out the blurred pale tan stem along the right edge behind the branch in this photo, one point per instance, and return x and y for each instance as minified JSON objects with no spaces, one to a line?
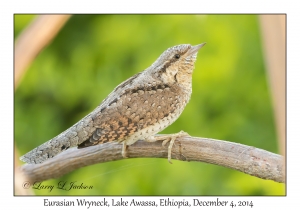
{"x":273,"y":32}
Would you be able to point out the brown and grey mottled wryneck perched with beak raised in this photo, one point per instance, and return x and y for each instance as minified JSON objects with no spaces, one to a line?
{"x":137,"y":109}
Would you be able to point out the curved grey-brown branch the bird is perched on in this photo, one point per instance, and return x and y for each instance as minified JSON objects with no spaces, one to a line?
{"x":247,"y":159}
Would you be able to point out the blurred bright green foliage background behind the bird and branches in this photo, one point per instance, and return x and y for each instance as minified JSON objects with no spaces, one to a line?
{"x":92,"y":54}
